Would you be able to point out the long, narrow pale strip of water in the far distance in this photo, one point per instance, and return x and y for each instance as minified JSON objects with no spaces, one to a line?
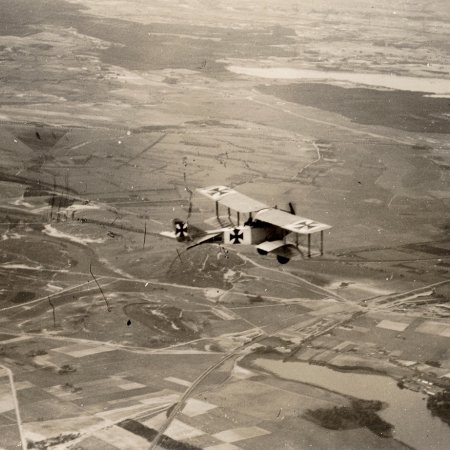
{"x":437,"y":86}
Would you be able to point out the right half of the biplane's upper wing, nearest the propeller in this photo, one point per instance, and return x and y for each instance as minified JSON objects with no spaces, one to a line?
{"x":290,"y":222}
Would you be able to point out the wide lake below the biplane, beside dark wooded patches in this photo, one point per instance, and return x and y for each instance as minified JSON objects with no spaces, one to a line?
{"x":406,"y":410}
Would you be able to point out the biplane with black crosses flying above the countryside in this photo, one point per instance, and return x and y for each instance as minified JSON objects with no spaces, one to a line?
{"x":270,"y":230}
